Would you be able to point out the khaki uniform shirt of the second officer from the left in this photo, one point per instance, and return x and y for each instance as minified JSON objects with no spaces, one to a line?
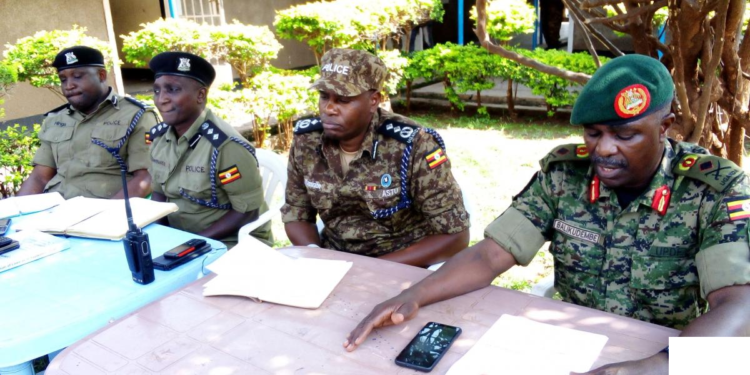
{"x":182,"y":171}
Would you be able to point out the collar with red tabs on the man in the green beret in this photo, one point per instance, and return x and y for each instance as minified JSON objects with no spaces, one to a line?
{"x":663,"y":178}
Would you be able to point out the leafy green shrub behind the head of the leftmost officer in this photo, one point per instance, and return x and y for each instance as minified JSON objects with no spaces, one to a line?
{"x":32,"y":56}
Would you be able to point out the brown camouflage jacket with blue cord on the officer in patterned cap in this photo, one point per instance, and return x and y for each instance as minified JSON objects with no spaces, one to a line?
{"x":360,"y":209}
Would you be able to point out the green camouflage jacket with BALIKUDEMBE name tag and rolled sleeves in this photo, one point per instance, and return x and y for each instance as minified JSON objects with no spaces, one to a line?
{"x":655,"y":260}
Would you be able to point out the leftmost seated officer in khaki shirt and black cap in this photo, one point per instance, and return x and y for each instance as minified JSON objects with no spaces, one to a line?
{"x":79,"y":139}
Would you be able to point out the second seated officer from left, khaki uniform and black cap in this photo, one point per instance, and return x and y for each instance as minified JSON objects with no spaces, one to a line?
{"x":200,"y":162}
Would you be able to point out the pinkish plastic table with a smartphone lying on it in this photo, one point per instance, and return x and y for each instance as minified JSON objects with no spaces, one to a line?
{"x":188,"y":333}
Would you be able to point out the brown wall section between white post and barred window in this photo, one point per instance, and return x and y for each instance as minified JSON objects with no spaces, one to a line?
{"x":128,"y":15}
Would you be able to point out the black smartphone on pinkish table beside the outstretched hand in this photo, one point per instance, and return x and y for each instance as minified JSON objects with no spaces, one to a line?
{"x":428,"y":346}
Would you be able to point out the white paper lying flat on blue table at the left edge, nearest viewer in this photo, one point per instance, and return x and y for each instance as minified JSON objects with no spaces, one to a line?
{"x":34,"y":245}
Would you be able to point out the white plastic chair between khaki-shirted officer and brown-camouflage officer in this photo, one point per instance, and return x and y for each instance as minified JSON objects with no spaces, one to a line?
{"x":273,"y":172}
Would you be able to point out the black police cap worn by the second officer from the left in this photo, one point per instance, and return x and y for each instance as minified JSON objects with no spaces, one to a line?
{"x":183,"y":64}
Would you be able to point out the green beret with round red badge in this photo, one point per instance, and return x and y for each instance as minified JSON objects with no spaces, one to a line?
{"x":625,"y":89}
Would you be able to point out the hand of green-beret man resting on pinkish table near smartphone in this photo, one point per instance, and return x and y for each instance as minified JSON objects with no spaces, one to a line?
{"x":393,"y":311}
